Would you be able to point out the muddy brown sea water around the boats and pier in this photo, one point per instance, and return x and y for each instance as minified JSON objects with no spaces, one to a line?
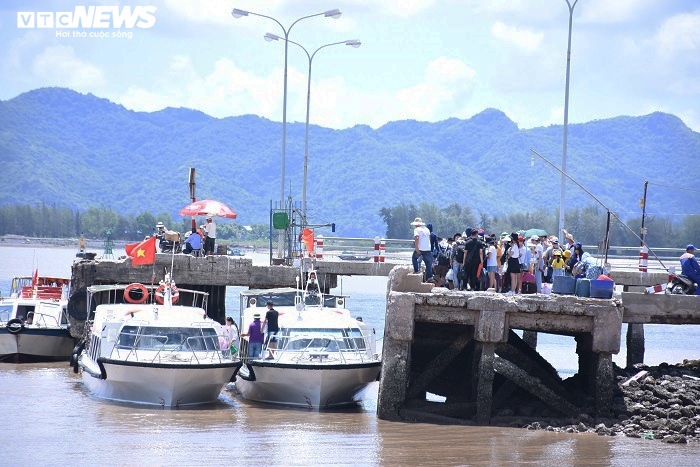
{"x":48,"y":418}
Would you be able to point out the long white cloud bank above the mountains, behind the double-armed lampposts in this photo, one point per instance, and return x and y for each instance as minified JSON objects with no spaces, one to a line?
{"x":228,"y":90}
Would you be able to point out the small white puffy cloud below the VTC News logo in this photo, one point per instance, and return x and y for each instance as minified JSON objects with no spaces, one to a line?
{"x":66,"y":69}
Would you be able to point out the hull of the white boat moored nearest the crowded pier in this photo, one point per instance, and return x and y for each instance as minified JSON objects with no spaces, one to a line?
{"x":310,"y":386}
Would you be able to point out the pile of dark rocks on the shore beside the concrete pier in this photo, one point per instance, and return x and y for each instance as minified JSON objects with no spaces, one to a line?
{"x":660,"y":402}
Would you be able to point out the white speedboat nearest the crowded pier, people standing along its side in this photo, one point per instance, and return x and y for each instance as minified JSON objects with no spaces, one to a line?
{"x":324,"y":357}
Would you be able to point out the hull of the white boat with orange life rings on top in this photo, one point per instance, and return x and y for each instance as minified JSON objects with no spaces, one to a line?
{"x":165,"y":385}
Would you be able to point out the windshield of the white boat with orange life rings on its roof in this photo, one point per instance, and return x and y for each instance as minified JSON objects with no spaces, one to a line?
{"x":168,"y":338}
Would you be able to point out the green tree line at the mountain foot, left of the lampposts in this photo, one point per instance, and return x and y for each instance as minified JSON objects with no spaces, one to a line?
{"x":45,"y":221}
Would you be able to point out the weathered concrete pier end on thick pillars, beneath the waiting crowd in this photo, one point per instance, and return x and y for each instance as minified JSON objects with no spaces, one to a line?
{"x":458,"y":344}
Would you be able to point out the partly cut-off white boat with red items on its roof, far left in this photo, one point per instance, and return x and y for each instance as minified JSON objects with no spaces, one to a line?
{"x":33,"y":321}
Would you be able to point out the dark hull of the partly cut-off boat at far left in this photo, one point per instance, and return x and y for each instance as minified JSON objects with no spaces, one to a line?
{"x":32,"y":345}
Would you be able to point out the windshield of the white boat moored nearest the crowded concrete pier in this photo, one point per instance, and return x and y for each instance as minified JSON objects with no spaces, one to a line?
{"x":329,"y":339}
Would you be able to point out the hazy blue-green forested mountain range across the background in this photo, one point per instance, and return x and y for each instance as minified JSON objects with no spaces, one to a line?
{"x":61,"y":147}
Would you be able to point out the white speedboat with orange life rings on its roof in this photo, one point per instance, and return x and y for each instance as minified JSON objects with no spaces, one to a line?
{"x":142,"y":348}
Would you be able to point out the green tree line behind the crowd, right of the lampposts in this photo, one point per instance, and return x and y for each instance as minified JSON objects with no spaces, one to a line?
{"x":587,"y":224}
